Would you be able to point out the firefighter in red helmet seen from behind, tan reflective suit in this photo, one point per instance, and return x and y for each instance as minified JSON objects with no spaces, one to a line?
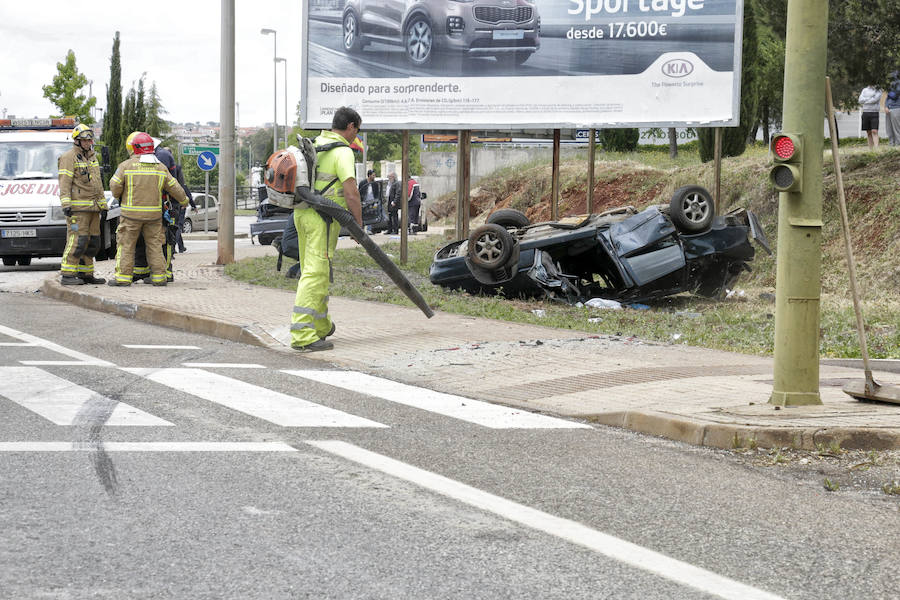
{"x":139,"y":183}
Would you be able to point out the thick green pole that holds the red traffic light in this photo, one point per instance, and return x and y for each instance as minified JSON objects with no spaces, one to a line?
{"x":799,"y":255}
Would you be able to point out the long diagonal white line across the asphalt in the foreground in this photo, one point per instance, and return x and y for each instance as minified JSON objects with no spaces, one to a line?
{"x":618,"y":549}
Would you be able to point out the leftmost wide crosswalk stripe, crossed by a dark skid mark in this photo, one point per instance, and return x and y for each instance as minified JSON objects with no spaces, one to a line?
{"x":65,"y":403}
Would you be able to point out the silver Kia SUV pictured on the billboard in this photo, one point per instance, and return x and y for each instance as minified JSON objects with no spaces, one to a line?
{"x":508,"y":30}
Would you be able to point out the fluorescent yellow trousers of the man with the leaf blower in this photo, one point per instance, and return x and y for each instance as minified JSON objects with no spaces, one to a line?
{"x":317,"y":242}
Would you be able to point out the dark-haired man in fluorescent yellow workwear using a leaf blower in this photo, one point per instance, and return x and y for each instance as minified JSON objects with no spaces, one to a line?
{"x":317,"y":235}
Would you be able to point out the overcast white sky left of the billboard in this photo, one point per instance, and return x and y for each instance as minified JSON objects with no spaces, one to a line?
{"x":177,"y":44}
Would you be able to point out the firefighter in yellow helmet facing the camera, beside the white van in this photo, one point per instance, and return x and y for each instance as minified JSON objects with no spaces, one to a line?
{"x":81,"y":195}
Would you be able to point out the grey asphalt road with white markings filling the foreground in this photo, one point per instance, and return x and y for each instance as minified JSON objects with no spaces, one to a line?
{"x":217,"y":470}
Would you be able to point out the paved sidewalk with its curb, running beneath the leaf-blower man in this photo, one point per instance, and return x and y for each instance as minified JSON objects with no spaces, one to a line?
{"x":695,"y":395}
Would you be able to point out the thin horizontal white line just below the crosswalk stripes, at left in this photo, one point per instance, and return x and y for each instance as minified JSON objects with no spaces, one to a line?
{"x":147,"y":447}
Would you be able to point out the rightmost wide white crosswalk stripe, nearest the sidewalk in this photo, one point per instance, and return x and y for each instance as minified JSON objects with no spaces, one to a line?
{"x":457,"y":407}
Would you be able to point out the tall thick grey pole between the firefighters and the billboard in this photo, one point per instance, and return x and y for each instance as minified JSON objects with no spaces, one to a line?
{"x":226,"y":139}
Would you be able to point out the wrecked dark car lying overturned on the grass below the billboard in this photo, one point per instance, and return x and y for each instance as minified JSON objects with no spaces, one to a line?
{"x":621,"y":254}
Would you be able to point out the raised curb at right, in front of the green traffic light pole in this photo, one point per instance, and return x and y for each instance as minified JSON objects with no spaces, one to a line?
{"x":733,"y":437}
